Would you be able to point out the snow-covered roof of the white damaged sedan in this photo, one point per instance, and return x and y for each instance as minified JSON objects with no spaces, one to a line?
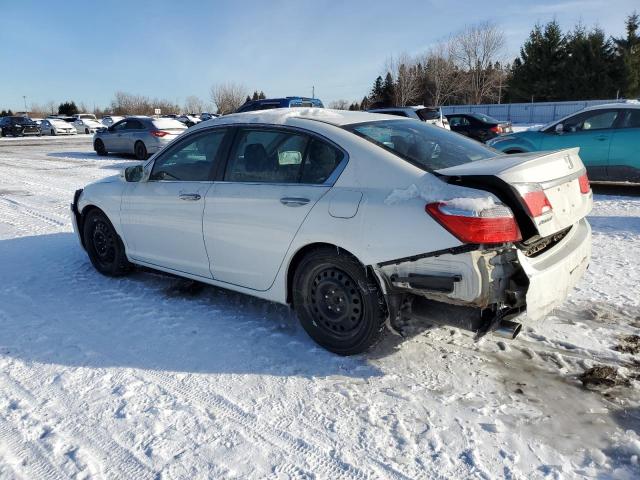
{"x":292,"y":116}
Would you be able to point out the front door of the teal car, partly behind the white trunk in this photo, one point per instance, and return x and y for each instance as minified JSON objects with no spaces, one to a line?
{"x":591,"y":131}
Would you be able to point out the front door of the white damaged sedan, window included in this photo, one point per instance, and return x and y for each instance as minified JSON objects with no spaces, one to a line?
{"x":161,"y":218}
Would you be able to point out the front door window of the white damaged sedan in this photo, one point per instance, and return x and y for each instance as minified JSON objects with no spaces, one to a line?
{"x":192,"y":160}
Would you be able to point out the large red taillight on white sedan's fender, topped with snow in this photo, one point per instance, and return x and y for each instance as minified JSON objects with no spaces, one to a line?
{"x":494,"y":224}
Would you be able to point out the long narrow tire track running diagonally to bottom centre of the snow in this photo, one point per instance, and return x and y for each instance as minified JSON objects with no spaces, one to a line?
{"x":322,"y":465}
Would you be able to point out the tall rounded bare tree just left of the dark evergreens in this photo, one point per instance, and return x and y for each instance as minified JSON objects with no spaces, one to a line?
{"x":477,"y":50}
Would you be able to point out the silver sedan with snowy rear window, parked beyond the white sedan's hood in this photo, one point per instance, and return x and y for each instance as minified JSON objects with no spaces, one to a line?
{"x":140,"y":136}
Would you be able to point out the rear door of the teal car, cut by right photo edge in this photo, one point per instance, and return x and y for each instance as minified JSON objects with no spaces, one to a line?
{"x":624,"y":152}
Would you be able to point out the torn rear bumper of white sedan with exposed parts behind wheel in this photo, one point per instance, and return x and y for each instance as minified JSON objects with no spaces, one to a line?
{"x":485,"y":289}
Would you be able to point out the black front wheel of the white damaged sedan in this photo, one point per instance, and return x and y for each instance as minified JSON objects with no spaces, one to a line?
{"x":104,"y":246}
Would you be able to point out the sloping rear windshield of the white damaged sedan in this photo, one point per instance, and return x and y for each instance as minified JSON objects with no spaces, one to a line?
{"x":426,"y":146}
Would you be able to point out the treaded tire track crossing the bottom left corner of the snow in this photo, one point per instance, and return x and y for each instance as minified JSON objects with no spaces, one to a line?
{"x":35,"y":463}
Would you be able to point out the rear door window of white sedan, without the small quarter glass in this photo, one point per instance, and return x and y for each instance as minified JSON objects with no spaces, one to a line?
{"x":266,"y":156}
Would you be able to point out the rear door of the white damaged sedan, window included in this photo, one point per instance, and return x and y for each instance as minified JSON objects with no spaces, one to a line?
{"x":273,"y":178}
